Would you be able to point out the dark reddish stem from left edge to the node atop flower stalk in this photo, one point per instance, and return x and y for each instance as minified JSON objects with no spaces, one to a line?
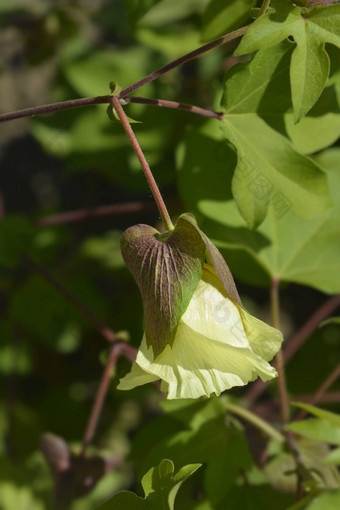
{"x":55,"y":107}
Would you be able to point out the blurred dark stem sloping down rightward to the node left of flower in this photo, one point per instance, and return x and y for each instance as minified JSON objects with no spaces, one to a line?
{"x":106,"y":332}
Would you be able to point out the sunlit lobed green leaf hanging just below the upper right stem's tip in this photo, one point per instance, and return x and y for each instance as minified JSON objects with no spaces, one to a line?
{"x":267,"y":166}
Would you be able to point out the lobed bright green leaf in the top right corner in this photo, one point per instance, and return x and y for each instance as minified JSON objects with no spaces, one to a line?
{"x":311,"y":29}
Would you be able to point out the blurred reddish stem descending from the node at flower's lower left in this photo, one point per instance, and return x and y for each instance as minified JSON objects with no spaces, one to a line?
{"x":115,"y":351}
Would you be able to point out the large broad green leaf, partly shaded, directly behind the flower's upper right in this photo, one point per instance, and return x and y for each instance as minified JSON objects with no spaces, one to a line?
{"x":285,"y":246}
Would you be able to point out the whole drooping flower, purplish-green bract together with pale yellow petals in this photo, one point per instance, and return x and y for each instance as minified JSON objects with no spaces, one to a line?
{"x":198,"y":338}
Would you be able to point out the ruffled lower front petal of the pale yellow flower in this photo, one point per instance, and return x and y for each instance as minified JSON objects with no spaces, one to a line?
{"x":197,"y":366}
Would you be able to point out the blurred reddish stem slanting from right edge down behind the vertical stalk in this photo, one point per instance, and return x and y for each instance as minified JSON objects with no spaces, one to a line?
{"x":298,"y":340}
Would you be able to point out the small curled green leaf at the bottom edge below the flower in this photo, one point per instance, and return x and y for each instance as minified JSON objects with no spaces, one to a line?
{"x":160,"y":485}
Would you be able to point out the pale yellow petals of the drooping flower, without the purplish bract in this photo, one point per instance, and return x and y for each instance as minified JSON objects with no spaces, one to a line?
{"x":217,"y":345}
